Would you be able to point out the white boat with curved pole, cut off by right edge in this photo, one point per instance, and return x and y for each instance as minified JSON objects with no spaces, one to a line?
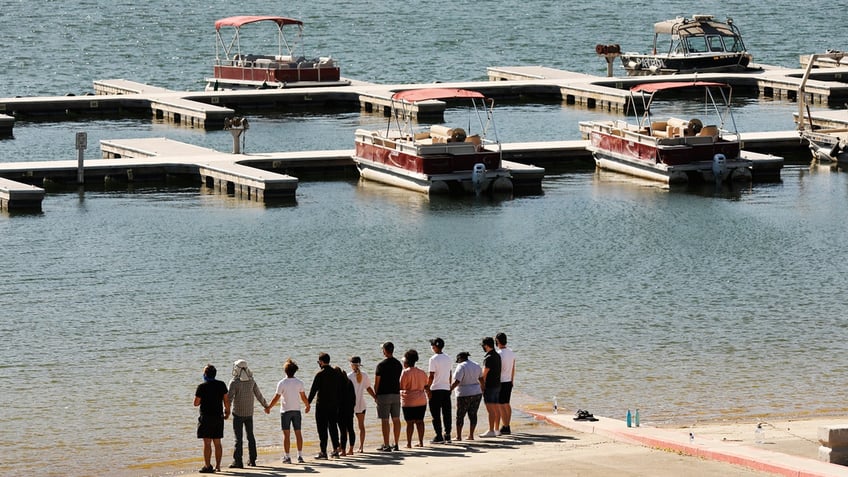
{"x":826,"y":144}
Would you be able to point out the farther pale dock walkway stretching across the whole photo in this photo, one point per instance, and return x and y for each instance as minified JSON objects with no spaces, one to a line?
{"x":209,"y":109}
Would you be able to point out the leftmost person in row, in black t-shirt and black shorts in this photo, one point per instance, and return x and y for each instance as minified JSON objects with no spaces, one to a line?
{"x":210,"y":424}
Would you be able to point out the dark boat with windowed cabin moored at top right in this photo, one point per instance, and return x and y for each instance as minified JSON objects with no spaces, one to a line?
{"x":688,"y":45}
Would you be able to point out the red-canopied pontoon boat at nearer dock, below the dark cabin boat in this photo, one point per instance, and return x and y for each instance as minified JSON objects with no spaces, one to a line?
{"x":671,"y":150}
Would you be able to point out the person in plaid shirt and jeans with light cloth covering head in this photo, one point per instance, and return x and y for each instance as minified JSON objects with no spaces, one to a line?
{"x":243,"y":389}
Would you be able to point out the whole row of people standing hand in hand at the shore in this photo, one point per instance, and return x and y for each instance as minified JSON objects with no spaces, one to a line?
{"x":339,"y":396}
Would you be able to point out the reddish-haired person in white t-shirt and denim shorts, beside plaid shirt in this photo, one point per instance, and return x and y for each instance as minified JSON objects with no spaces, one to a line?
{"x":290,"y":393}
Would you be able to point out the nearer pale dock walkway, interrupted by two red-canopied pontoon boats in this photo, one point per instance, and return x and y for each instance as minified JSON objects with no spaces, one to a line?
{"x":265,"y":177}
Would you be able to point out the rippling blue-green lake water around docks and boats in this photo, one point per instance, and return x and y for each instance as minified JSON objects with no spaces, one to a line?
{"x":616,"y":294}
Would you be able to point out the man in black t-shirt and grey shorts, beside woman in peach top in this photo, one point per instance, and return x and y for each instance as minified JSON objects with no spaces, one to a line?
{"x":387,"y":395}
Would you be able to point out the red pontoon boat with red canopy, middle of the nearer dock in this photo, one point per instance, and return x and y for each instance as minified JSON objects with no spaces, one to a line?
{"x":438,"y":159}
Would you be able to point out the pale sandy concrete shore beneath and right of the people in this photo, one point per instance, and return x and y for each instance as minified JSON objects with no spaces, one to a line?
{"x":556,"y":445}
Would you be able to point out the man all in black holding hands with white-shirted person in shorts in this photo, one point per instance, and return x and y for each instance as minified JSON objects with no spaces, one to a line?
{"x":327,"y":387}
